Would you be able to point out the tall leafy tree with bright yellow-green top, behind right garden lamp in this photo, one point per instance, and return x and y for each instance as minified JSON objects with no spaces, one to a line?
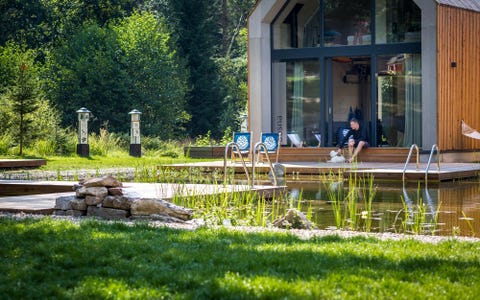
{"x":157,"y":74}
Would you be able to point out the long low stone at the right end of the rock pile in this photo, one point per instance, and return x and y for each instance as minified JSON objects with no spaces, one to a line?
{"x":160,"y":207}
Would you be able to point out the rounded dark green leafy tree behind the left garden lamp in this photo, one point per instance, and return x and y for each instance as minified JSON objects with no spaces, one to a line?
{"x":87,"y":71}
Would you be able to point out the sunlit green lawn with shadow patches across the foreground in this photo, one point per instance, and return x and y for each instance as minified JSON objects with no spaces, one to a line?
{"x":54,"y":259}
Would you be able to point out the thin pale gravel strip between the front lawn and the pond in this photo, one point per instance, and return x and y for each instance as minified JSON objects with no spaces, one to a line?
{"x":302,"y":234}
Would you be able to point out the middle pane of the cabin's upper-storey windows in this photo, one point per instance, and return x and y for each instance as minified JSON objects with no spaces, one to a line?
{"x":347,"y":22}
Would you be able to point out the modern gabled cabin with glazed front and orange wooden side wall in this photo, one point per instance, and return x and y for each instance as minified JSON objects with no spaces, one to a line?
{"x":409,"y":70}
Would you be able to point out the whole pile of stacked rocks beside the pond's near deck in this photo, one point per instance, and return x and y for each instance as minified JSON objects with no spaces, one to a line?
{"x":106,"y":198}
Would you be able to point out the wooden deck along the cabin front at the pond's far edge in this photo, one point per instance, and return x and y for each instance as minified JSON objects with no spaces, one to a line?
{"x":383,"y":162}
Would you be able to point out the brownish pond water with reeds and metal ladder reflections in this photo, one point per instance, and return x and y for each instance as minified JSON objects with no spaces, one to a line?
{"x":445,"y":208}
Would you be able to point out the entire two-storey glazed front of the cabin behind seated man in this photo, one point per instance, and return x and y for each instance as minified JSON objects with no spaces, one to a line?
{"x":299,"y":97}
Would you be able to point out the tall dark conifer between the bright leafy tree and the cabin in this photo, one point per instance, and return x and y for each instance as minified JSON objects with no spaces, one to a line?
{"x":199,"y":36}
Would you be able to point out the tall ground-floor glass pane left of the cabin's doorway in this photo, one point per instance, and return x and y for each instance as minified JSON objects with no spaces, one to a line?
{"x":296,"y":99}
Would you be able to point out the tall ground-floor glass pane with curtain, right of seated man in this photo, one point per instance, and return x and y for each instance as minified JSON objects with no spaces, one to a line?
{"x":399,"y":101}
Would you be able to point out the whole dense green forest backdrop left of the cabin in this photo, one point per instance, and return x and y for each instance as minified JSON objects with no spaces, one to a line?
{"x":182,"y":63}
